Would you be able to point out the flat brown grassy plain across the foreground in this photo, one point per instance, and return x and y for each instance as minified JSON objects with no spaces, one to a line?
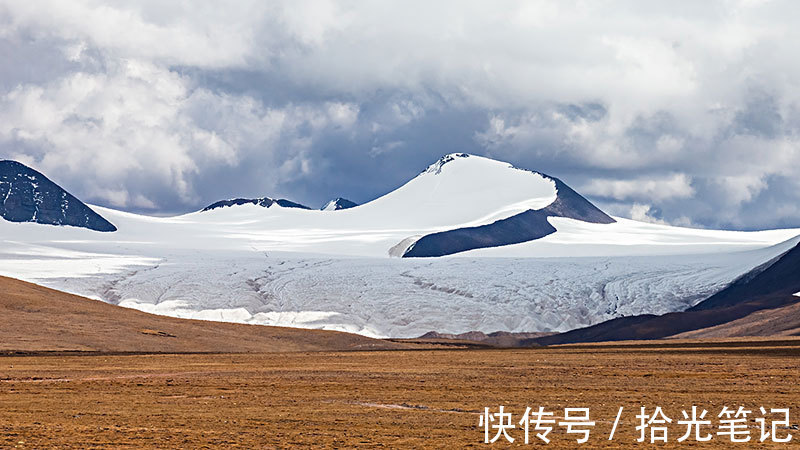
{"x":422,"y":398}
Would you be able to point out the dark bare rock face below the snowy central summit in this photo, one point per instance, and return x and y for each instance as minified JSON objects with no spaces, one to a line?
{"x":524,"y":227}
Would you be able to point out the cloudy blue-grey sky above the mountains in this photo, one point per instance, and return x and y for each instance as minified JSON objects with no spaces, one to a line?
{"x":680,"y":112}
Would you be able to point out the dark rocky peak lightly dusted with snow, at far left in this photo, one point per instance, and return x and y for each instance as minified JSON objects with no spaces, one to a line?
{"x":29,"y":196}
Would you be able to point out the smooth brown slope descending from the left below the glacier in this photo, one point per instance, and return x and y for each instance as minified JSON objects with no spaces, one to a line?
{"x":35,"y":318}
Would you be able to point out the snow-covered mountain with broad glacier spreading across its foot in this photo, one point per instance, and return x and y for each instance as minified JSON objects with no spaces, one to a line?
{"x":571,"y":265}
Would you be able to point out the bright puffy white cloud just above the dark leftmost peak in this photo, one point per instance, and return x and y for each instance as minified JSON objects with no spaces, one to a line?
{"x":113,"y":125}
